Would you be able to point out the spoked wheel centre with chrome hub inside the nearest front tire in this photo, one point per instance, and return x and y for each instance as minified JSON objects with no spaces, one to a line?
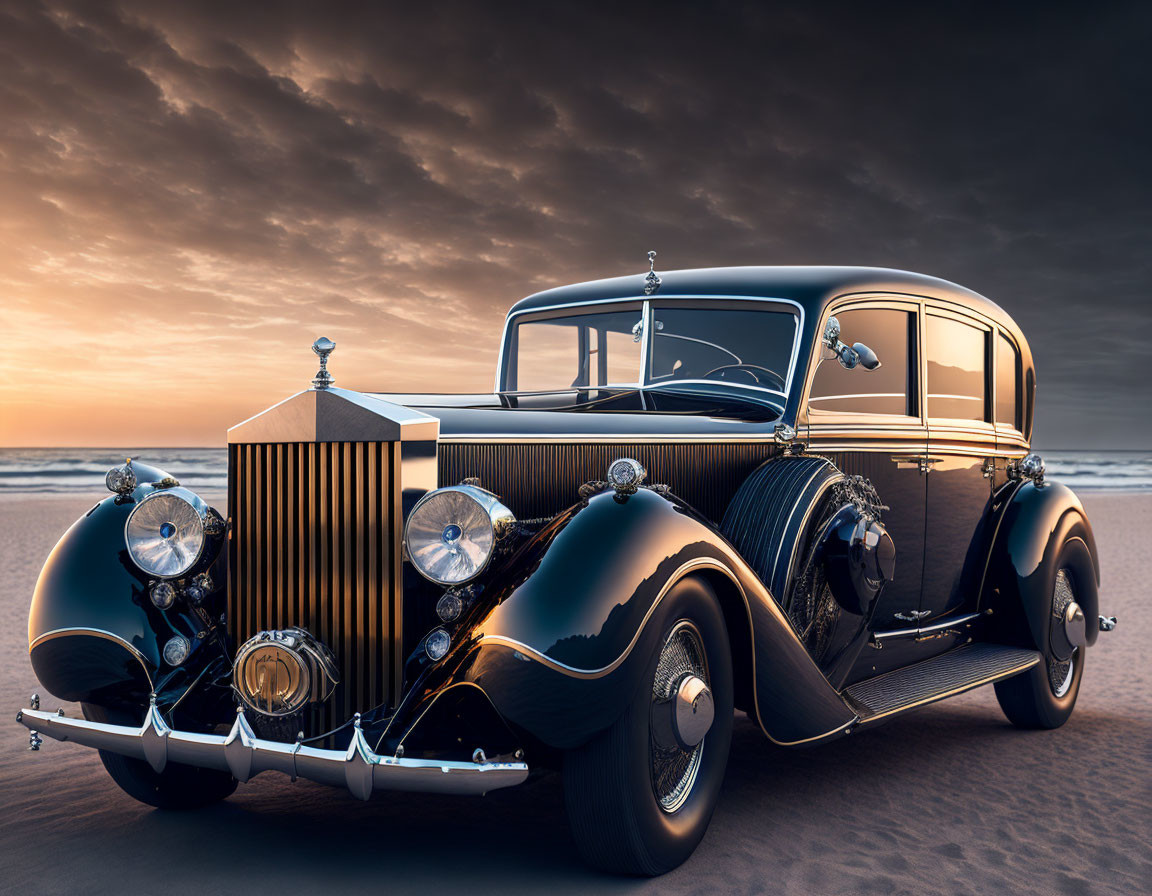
{"x":681,"y":715}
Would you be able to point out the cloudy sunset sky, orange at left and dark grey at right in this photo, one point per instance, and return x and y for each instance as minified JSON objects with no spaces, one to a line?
{"x":191,"y":194}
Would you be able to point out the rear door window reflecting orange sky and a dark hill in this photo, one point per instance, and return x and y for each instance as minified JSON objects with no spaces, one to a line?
{"x":956,"y":354}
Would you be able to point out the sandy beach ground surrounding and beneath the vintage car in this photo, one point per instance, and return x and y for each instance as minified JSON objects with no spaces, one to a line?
{"x":949,"y":800}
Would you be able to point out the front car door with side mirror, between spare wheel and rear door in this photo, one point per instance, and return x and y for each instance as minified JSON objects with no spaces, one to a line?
{"x":869,"y":423}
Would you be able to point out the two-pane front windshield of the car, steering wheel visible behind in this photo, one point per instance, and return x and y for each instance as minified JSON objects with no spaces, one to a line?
{"x":734,"y":343}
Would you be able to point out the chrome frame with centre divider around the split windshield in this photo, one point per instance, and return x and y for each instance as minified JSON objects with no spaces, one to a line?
{"x":645,"y":381}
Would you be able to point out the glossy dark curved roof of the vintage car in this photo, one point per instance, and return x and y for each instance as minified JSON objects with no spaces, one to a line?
{"x":813,"y":287}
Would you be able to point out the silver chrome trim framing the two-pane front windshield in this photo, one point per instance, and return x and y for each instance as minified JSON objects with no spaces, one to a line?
{"x":643,"y":382}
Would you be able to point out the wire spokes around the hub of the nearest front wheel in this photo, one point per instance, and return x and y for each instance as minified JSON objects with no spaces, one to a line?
{"x":674,"y":769}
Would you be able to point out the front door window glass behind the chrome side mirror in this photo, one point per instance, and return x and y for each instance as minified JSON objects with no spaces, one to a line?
{"x":888,"y":332}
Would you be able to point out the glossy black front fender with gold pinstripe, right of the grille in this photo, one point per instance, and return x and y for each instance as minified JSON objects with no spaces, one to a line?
{"x":563,"y":650}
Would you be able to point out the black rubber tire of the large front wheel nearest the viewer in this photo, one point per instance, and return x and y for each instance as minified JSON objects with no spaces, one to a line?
{"x":610,"y":788}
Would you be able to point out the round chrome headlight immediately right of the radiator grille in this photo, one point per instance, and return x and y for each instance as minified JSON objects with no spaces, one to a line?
{"x":452,"y":534}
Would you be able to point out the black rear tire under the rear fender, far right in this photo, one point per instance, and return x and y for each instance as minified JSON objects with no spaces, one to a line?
{"x":1045,"y":696}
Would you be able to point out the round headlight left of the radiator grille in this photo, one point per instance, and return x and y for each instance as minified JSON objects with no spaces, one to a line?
{"x":165,"y":534}
